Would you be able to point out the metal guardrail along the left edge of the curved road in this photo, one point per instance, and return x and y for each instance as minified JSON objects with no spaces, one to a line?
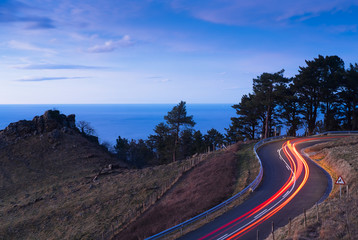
{"x":253,"y":185}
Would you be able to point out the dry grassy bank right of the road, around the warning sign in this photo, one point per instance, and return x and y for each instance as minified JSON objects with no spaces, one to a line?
{"x":337,"y":217}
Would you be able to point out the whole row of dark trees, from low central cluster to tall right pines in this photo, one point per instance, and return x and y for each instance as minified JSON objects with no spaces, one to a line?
{"x":323,"y":96}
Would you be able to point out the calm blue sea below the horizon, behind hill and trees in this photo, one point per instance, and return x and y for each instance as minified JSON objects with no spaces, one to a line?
{"x":131,"y":121}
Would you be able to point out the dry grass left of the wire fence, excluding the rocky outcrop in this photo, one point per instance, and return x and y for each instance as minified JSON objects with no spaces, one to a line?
{"x":47,"y":190}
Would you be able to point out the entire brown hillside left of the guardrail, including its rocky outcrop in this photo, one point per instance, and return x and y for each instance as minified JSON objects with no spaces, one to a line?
{"x":50,"y":186}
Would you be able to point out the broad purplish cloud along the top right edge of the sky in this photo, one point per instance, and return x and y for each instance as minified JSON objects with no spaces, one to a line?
{"x":259,"y":12}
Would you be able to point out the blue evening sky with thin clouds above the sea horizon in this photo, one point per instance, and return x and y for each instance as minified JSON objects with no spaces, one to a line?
{"x":162,"y":51}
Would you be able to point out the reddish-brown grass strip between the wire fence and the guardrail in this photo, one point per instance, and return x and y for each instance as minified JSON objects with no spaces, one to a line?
{"x":218,"y":177}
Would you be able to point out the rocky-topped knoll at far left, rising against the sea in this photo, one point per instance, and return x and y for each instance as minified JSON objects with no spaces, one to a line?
{"x":45,"y":151}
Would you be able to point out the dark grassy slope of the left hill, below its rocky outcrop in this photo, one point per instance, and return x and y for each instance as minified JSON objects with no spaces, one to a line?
{"x":43,"y":160}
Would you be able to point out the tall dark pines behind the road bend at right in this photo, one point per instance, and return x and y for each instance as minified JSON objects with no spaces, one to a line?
{"x":321,"y":88}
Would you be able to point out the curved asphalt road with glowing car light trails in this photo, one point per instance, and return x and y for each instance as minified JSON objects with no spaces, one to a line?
{"x":291,"y":183}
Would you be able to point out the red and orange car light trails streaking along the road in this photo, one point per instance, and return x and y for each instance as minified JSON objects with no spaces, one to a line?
{"x":298,"y":168}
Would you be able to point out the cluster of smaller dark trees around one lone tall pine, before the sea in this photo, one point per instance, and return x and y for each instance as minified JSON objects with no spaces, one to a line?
{"x":175,"y":139}
